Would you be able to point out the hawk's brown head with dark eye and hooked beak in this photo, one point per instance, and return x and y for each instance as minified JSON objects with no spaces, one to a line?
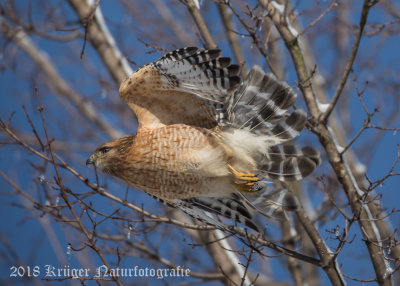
{"x":110,"y":153}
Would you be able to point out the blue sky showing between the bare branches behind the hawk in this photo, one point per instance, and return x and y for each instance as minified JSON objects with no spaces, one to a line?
{"x":28,"y":236}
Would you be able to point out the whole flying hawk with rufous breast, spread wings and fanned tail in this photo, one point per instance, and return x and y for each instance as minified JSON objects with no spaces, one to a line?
{"x":209,"y":142}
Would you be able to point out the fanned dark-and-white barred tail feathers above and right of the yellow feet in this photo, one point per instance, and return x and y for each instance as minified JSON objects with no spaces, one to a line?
{"x":261,"y":106}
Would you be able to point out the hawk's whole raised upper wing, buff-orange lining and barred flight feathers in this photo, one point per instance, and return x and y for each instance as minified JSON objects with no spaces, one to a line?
{"x":187,"y":86}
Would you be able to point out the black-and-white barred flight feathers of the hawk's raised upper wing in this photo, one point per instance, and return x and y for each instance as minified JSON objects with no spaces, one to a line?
{"x":204,"y":73}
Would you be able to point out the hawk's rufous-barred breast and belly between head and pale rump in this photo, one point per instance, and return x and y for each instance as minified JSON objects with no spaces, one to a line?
{"x":176,"y":161}
